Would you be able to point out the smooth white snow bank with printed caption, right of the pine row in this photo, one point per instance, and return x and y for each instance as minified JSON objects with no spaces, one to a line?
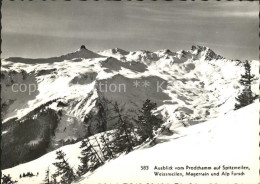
{"x":231,"y":140}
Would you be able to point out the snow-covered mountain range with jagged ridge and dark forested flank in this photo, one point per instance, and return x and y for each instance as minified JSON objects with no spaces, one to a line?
{"x":46,"y":103}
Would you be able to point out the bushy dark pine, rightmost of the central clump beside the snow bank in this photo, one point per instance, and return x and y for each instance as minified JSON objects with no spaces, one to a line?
{"x":147,"y":122}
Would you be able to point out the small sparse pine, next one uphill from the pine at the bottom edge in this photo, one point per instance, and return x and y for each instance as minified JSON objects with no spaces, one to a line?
{"x":90,"y":160}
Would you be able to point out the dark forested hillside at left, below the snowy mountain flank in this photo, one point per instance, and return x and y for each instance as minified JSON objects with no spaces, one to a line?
{"x":18,"y":150}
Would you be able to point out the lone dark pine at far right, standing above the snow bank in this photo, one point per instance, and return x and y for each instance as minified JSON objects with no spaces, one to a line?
{"x":246,"y":97}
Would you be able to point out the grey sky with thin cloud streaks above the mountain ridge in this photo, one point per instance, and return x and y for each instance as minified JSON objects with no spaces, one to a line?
{"x":52,"y":28}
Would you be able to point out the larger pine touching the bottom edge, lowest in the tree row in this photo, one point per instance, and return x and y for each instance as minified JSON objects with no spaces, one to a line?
{"x":63,"y":169}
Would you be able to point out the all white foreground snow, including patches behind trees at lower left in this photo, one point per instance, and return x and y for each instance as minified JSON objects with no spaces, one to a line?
{"x":228,"y":140}
